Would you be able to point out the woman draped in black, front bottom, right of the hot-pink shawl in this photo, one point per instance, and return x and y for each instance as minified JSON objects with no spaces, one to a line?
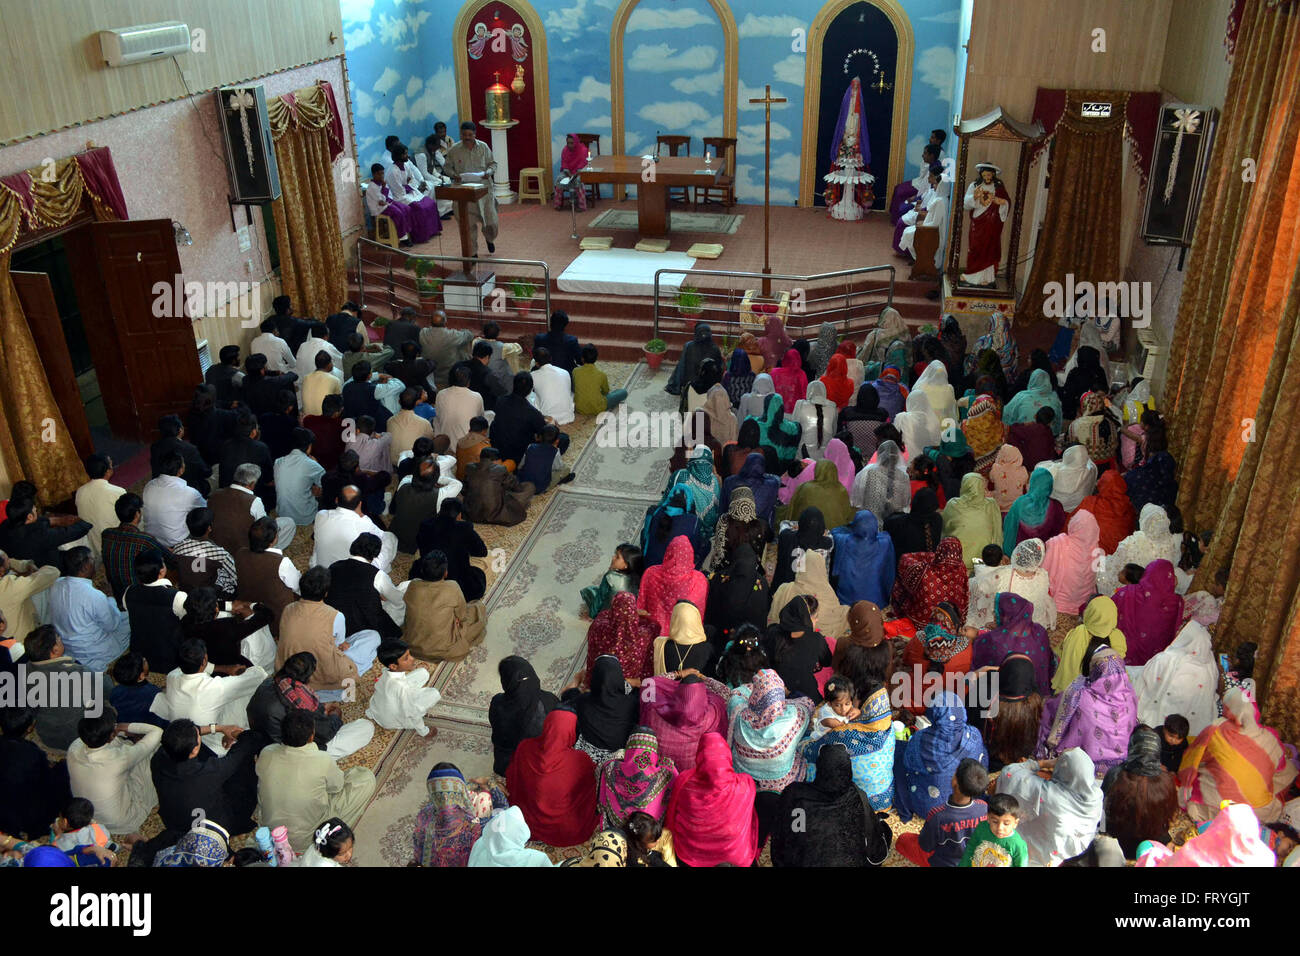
{"x":839,"y":829}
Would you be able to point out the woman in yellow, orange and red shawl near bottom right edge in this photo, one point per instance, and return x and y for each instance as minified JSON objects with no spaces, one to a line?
{"x":1238,"y":760}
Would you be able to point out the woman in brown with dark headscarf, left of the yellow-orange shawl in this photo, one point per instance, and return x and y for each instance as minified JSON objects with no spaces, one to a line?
{"x":1141,"y":795}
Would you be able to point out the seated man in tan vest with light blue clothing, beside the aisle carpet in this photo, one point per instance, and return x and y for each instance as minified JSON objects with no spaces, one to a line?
{"x":314,"y":626}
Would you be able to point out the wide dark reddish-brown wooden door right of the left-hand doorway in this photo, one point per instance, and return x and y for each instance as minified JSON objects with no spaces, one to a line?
{"x":149,"y":362}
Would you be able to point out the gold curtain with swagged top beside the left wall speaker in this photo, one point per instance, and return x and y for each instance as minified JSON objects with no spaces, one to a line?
{"x":311,"y":245}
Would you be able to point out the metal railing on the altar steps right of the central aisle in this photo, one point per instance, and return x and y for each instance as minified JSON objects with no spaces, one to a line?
{"x":809,"y":306}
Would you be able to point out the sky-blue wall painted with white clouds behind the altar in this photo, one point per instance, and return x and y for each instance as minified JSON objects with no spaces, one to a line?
{"x":400,"y":60}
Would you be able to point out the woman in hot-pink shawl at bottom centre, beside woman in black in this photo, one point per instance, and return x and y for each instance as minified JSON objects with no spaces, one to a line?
{"x":712,"y":810}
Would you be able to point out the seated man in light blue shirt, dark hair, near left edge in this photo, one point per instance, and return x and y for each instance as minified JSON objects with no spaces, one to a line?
{"x":93,"y":629}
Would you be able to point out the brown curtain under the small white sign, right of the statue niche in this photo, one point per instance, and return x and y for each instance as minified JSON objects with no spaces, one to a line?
{"x":1081,"y":230}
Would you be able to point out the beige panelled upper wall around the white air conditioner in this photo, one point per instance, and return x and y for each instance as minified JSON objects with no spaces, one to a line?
{"x":55,"y":77}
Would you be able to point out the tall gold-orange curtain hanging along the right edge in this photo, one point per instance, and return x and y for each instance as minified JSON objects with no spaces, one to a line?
{"x":1237,"y":434}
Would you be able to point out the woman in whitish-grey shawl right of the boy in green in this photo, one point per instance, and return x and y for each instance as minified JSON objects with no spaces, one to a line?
{"x":1059,"y":816}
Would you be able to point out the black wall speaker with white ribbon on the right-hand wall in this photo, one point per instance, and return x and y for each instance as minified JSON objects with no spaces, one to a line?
{"x":1178,"y":174}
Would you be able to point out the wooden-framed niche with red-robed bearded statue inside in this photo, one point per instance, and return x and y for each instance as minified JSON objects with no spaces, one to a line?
{"x":981,"y":274}
